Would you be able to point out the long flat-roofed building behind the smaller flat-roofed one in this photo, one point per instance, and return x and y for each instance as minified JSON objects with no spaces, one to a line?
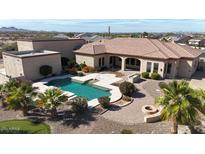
{"x":64,"y":46}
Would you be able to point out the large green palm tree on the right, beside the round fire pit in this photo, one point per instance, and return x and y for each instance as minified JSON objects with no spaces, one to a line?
{"x":180,"y":104}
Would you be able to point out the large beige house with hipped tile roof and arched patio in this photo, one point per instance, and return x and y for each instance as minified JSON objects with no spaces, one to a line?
{"x":141,"y":54}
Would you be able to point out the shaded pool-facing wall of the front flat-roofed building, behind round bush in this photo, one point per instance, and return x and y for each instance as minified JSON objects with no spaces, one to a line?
{"x":32,"y":65}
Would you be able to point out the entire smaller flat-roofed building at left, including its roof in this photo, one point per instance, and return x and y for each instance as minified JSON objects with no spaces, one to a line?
{"x":26,"y":64}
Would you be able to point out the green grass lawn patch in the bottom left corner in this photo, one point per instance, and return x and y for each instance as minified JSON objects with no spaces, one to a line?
{"x":27,"y":127}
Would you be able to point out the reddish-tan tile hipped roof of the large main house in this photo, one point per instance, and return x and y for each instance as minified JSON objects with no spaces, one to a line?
{"x":141,"y":47}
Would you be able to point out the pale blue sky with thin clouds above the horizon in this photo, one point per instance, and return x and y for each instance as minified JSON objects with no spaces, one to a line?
{"x":101,"y":25}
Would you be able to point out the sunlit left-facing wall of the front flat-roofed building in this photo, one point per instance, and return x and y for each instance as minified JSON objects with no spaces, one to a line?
{"x":13,"y":66}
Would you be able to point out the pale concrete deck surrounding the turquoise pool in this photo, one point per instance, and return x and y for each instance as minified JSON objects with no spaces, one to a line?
{"x":103,"y":81}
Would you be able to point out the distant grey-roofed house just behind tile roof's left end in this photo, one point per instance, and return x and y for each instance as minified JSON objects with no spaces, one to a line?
{"x":89,"y":37}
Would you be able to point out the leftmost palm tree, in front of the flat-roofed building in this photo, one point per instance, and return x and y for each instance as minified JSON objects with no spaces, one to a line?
{"x":21,"y":97}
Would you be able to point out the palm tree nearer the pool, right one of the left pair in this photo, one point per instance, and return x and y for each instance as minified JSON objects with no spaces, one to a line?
{"x":51,"y":99}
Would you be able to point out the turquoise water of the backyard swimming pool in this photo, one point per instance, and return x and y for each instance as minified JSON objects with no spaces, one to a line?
{"x":79,"y":89}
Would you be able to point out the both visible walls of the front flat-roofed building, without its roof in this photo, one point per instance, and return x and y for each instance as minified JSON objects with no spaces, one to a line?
{"x":29,"y":67}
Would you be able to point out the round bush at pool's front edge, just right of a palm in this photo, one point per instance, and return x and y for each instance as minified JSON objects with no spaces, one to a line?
{"x":79,"y":104}
